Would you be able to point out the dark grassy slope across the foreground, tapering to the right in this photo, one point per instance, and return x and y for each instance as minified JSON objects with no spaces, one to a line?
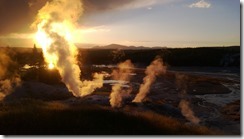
{"x":56,"y":118}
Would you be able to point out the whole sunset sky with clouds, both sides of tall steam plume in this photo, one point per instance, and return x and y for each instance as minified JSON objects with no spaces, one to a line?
{"x":166,"y":23}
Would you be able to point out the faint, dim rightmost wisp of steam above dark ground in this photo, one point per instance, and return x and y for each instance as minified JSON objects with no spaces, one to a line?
{"x":184,"y":105}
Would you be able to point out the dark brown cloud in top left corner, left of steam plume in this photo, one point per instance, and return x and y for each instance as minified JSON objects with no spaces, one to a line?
{"x":17,"y":15}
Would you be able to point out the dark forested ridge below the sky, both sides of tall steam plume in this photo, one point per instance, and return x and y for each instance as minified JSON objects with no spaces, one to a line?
{"x":203,"y":57}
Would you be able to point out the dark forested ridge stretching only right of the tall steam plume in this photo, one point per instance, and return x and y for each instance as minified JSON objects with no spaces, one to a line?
{"x":203,"y":56}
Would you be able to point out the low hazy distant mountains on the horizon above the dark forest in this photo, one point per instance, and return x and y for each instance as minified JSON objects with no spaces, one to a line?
{"x":118,"y":46}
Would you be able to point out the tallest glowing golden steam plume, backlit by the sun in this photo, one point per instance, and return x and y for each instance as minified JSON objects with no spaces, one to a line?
{"x":56,"y":22}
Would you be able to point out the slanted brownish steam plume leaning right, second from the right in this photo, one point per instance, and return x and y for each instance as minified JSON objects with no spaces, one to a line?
{"x":154,"y":69}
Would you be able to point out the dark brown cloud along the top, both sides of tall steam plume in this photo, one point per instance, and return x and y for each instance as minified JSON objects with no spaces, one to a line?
{"x":18,"y":15}
